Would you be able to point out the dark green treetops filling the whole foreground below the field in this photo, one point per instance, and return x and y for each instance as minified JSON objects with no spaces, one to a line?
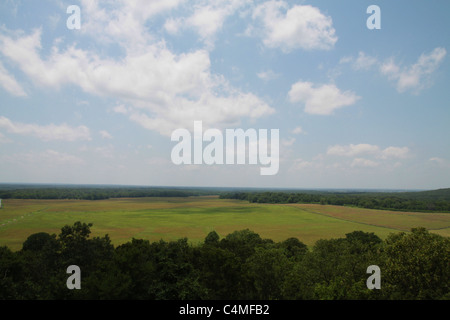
{"x":240,"y":266}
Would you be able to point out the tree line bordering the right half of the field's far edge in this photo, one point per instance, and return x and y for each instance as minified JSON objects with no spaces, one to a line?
{"x":384,"y":201}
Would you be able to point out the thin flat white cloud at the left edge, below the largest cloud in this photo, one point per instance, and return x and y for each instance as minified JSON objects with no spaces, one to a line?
{"x":46,"y":133}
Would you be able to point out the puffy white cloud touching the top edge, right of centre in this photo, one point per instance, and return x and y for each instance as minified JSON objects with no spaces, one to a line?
{"x":300,"y":27}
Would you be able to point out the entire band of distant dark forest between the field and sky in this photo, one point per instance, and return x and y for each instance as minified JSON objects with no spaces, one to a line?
{"x":427,"y":201}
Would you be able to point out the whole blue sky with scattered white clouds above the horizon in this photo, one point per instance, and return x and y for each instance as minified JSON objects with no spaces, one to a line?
{"x":356,"y":108}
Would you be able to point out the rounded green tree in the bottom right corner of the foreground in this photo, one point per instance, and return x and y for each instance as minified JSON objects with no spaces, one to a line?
{"x":417,"y":266}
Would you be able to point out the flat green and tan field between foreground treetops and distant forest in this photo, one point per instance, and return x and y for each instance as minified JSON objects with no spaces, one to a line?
{"x":195,"y":217}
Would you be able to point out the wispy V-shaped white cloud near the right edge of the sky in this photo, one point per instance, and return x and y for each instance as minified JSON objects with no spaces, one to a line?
{"x":417,"y":76}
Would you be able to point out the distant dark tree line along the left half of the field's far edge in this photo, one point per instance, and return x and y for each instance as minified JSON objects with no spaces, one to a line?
{"x":94,"y":193}
